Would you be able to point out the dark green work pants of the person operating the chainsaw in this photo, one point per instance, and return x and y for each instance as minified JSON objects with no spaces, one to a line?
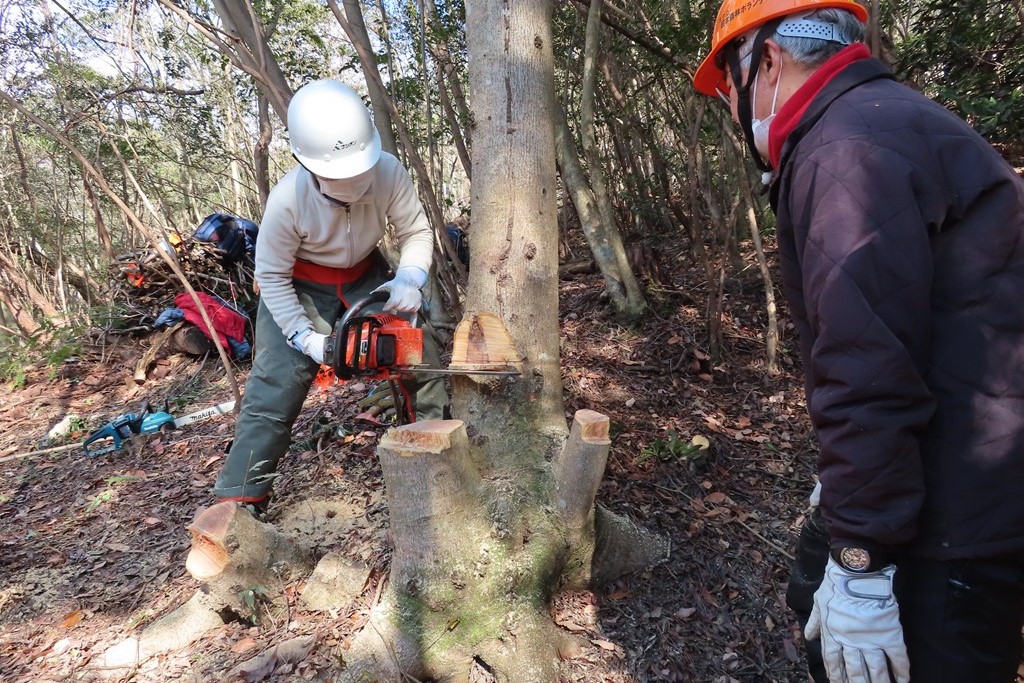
{"x":281,"y":378}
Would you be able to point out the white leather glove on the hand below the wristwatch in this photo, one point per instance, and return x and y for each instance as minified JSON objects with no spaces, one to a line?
{"x":858,"y":620}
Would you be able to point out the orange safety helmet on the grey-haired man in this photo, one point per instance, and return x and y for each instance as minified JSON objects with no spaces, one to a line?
{"x":738,"y":17}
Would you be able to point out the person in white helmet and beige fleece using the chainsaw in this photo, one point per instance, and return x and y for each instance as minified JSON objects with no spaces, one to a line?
{"x":318,"y":253}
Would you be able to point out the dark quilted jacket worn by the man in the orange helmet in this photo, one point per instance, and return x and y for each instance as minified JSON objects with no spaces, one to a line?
{"x":902,"y":236}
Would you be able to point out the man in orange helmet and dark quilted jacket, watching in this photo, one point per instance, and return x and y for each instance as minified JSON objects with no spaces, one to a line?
{"x":902,"y":247}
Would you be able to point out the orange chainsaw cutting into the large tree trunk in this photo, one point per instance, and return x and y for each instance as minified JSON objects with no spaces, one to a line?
{"x":383,"y":347}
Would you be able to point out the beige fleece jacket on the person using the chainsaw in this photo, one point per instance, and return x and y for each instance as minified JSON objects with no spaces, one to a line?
{"x":301,"y":223}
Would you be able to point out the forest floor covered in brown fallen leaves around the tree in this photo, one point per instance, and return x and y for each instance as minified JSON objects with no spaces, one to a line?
{"x":94,"y":549}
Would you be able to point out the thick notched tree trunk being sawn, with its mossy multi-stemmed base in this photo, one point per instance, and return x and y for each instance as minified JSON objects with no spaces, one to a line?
{"x":492,"y":514}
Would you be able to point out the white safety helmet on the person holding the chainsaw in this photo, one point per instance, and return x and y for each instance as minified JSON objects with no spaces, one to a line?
{"x":331,"y":132}
